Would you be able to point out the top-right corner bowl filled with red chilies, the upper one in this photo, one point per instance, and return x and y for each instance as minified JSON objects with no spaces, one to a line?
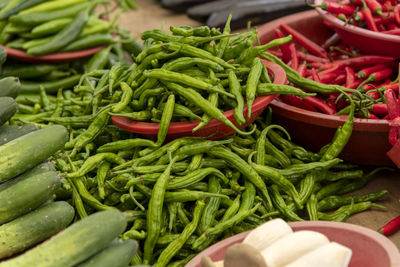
{"x":368,"y":25}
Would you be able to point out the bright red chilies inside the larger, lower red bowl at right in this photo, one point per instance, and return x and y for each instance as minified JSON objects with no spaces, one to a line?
{"x":370,"y":74}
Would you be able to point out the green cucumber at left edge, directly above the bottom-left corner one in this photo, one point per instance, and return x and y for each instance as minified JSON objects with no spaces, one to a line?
{"x":34,"y":227}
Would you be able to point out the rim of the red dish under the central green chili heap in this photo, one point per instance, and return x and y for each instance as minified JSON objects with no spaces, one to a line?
{"x":179,"y":127}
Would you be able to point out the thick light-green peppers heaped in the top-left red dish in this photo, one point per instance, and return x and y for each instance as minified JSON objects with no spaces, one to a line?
{"x":42,"y":27}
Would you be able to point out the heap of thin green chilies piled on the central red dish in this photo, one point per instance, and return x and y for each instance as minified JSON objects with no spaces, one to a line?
{"x":207,"y":72}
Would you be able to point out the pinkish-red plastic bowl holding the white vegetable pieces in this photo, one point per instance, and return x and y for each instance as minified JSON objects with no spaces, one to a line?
{"x":370,"y":249}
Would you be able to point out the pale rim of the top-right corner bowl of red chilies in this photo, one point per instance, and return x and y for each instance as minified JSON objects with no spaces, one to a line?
{"x":354,"y":29}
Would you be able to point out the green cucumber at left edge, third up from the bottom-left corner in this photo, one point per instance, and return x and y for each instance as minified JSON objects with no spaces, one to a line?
{"x":27,"y":192}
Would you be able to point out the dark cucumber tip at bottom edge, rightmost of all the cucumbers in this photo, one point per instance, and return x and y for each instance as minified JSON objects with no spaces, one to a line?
{"x":117,"y":254}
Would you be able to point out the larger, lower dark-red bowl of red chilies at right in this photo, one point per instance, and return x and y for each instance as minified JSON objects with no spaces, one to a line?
{"x":314,"y":120}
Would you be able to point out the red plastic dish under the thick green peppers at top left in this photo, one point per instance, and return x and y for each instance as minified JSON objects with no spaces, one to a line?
{"x":51,"y":58}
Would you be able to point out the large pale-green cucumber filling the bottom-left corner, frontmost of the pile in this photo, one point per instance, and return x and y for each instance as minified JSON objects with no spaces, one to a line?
{"x":75,"y":244}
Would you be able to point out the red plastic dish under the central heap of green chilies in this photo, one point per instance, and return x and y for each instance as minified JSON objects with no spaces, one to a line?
{"x":215,"y":129}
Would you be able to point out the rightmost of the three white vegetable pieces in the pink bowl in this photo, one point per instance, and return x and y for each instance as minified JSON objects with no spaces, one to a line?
{"x":329,"y":255}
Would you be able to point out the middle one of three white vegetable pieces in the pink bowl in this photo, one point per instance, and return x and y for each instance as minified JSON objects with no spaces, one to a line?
{"x":291,"y":247}
